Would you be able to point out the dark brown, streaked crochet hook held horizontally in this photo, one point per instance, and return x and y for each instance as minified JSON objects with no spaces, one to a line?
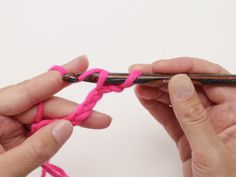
{"x":155,"y":79}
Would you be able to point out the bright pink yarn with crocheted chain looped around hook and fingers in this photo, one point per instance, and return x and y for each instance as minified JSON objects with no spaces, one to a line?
{"x":82,"y":112}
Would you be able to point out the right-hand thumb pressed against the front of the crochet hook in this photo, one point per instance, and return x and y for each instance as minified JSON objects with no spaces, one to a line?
{"x":191,"y":114}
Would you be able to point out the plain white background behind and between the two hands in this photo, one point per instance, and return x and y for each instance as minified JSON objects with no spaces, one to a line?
{"x":114,"y":34}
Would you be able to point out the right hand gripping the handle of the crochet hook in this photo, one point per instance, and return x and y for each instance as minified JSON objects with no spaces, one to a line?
{"x":201,"y":120}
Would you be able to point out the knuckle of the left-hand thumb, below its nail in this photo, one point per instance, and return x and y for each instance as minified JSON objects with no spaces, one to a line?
{"x":38,"y":151}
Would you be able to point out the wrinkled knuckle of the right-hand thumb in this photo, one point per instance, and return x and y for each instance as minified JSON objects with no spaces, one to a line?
{"x":195,"y":114}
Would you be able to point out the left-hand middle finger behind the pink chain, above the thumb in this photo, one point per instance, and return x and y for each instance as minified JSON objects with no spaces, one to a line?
{"x":56,"y":107}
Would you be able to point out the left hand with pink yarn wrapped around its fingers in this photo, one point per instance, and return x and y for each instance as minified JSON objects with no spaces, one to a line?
{"x":19,"y":154}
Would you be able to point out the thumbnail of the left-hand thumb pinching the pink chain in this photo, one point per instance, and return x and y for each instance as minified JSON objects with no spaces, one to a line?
{"x":62,"y":131}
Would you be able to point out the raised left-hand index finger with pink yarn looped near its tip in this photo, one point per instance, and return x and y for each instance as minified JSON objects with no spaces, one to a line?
{"x":18,"y":98}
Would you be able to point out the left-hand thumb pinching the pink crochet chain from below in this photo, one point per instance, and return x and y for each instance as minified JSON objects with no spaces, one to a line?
{"x":35,"y":150}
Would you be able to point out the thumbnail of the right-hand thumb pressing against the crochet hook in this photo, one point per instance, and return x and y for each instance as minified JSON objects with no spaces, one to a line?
{"x":183,"y":87}
